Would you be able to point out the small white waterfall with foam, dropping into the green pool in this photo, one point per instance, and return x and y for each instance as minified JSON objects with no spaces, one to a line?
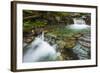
{"x":79,"y":23}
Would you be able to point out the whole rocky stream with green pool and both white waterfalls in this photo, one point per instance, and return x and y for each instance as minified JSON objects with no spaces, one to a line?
{"x":59,"y":44}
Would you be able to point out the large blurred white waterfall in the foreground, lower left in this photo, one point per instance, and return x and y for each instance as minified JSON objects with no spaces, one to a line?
{"x":40,"y":50}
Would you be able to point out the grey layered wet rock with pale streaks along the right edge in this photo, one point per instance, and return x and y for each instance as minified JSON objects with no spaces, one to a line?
{"x":83,"y":47}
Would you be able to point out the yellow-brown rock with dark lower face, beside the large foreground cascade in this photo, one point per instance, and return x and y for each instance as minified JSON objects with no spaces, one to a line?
{"x":65,"y":47}
